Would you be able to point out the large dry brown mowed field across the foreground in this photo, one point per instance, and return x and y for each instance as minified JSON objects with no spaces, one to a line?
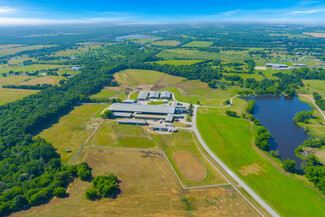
{"x":148,"y":188}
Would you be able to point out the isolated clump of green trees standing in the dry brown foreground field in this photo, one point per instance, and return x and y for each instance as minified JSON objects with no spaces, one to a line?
{"x":103,"y":186}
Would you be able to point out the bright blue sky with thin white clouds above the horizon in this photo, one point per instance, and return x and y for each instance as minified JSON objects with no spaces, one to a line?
{"x":22,"y":12}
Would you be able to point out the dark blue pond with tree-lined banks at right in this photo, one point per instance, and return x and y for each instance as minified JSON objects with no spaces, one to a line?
{"x":276,"y":113}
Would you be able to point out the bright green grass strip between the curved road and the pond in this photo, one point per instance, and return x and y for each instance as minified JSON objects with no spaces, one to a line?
{"x":231,"y":140}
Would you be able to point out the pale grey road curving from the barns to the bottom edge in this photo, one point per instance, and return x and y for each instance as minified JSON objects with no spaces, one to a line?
{"x":233,"y":175}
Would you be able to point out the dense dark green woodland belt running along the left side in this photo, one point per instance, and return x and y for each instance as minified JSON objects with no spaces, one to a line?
{"x":31,"y":168}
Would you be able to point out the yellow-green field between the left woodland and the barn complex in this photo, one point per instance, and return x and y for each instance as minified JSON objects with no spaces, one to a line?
{"x":73,"y":129}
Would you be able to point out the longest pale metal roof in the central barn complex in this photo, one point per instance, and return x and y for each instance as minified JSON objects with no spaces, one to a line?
{"x":146,"y":109}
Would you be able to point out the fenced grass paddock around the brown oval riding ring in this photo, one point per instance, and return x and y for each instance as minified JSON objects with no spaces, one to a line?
{"x":184,"y":141}
